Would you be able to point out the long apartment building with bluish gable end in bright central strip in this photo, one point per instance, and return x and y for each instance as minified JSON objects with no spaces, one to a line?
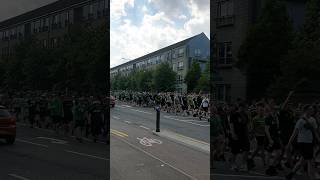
{"x":179,"y":56}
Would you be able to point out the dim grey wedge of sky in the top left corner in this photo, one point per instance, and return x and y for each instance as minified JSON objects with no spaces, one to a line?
{"x":11,"y":8}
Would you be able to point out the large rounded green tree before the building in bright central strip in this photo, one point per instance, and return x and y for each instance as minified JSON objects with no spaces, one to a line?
{"x":164,"y":78}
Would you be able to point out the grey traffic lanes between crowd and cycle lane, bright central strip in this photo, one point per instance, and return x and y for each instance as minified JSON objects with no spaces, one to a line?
{"x":187,"y":126}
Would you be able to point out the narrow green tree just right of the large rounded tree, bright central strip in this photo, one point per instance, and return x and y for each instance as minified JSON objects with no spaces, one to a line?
{"x":193,"y":76}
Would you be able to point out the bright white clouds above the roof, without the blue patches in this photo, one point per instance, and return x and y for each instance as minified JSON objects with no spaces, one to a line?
{"x":156,"y":31}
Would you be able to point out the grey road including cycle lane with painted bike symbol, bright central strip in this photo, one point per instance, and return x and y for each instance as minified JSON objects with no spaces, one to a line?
{"x":132,"y":157}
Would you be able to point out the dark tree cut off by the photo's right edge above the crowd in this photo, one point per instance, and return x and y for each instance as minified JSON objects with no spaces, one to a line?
{"x":303,"y":60}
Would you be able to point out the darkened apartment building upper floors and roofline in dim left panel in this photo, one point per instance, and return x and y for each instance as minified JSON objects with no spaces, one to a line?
{"x":49,"y":23}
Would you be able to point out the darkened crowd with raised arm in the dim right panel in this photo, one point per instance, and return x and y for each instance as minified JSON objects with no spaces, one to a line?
{"x":282,"y":136}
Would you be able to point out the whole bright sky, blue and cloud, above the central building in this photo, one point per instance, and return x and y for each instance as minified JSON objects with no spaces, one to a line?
{"x":139,"y":27}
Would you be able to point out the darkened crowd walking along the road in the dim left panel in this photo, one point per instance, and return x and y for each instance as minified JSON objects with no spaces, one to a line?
{"x":69,"y":113}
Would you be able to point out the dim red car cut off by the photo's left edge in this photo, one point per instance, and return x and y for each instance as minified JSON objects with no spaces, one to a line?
{"x":7,"y":125}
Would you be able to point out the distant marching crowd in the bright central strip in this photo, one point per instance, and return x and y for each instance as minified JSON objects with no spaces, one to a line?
{"x":192,"y":104}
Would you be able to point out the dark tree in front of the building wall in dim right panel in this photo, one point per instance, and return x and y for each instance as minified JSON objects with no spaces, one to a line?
{"x":265,"y":48}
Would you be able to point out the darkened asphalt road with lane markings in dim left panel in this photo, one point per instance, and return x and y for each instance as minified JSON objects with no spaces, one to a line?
{"x":41,"y":154}
